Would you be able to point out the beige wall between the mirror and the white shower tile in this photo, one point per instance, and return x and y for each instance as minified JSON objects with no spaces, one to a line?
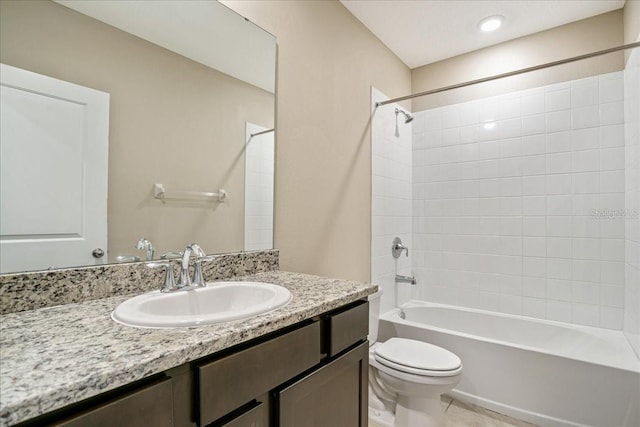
{"x":327,"y":62}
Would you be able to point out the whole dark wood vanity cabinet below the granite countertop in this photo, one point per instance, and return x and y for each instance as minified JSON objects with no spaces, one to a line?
{"x":314,"y":373}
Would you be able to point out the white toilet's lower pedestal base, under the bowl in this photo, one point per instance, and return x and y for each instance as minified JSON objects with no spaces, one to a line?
{"x":418,"y":412}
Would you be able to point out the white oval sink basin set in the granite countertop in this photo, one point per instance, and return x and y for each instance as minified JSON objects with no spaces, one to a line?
{"x":215,"y":303}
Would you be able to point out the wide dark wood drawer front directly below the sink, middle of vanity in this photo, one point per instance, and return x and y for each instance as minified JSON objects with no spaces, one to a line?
{"x":228,"y":383}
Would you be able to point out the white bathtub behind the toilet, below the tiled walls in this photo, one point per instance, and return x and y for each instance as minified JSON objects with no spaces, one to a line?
{"x":547,"y":373}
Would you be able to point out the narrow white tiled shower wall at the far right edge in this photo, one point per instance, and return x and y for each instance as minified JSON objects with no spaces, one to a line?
{"x":632,"y":195}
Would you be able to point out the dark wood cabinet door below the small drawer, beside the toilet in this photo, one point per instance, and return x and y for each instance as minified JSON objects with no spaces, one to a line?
{"x":334,"y":395}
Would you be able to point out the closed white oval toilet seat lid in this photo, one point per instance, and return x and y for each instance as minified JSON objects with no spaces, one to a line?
{"x":417,"y":355}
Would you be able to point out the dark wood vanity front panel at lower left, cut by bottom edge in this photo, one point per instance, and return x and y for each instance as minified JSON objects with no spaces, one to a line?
{"x":149,"y":406}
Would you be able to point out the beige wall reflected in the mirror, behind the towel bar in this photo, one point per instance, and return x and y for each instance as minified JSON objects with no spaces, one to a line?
{"x":172,"y":121}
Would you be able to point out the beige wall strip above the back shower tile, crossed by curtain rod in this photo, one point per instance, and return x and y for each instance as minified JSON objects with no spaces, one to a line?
{"x":589,"y":35}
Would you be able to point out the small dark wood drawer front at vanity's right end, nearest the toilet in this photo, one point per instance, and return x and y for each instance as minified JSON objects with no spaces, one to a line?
{"x":347,"y":327}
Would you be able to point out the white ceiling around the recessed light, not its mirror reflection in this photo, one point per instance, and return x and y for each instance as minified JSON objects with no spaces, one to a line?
{"x":420,"y":32}
